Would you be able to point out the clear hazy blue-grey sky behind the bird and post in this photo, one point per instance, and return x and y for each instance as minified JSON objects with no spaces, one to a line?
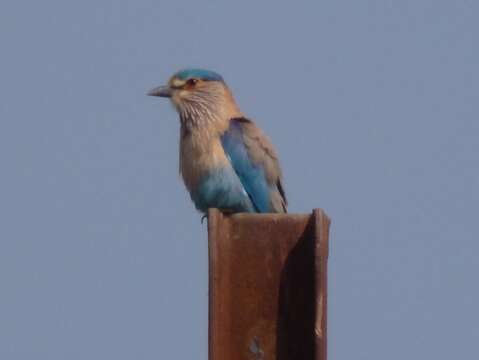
{"x":372,"y":105}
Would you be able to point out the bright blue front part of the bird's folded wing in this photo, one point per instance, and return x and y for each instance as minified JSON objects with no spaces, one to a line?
{"x":251,"y":175}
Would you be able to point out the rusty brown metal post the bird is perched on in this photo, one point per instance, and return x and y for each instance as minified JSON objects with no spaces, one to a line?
{"x":268,"y":286}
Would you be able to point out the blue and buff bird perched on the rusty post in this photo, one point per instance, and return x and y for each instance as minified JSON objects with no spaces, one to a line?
{"x":226,"y":161}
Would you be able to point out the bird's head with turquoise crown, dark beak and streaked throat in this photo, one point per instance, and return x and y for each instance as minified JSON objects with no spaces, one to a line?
{"x":197,"y":93}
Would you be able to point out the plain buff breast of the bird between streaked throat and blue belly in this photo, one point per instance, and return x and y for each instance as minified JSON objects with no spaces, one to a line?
{"x":201,"y":153}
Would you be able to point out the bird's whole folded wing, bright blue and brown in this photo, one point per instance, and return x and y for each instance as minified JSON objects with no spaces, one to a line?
{"x":255,"y":162}
